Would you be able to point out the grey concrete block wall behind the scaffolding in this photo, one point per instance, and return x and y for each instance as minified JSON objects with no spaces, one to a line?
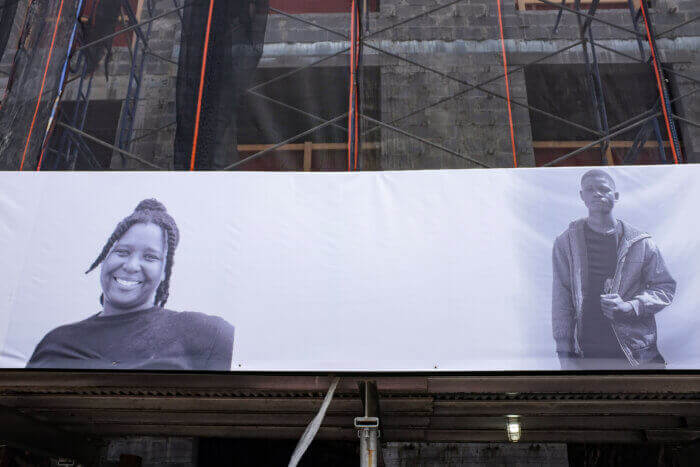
{"x":460,"y":41}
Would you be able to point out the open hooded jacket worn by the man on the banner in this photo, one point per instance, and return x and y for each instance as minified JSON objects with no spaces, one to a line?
{"x":640,"y":278}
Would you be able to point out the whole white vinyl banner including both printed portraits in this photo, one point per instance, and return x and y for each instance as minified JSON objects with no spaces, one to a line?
{"x":454,"y":270}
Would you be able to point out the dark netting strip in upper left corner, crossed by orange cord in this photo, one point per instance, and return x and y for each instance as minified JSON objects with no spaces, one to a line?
{"x":17,"y":116}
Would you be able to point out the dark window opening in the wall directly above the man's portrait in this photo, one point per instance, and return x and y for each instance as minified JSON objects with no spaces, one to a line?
{"x":563,"y":90}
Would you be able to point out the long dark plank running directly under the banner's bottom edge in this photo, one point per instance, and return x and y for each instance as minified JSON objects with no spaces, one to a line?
{"x":28,"y":381}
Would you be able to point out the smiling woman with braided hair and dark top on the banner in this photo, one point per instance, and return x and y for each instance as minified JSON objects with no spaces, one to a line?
{"x":134,"y":330}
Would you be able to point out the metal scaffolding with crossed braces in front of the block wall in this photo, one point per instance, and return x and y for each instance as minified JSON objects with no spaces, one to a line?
{"x":646,"y":125}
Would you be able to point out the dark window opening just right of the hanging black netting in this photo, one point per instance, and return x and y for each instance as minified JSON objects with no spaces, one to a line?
{"x":319,"y":91}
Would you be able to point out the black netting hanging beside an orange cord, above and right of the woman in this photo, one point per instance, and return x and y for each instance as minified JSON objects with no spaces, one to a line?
{"x":235,"y":46}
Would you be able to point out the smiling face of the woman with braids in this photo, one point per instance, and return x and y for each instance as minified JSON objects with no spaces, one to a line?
{"x":133,"y":269}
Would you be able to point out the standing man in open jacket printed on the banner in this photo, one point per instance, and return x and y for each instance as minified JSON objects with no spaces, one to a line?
{"x":609,"y":281}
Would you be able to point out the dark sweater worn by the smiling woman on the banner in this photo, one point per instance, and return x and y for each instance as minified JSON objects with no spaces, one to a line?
{"x":152,"y":339}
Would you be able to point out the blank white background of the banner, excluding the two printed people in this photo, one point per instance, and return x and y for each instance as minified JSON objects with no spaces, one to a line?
{"x":377,"y":271}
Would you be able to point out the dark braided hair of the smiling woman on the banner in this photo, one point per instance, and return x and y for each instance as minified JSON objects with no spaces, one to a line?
{"x":148,"y":211}
